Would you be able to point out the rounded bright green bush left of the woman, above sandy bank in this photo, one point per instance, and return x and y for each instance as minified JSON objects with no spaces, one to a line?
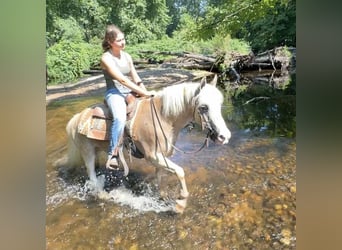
{"x":66,"y":60}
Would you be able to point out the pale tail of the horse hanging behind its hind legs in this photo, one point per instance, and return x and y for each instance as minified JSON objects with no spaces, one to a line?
{"x":74,"y":158}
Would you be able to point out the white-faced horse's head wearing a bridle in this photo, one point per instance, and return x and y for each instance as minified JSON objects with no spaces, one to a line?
{"x":208,"y":101}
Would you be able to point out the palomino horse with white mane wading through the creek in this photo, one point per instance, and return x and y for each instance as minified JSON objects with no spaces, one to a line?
{"x":155,"y":127}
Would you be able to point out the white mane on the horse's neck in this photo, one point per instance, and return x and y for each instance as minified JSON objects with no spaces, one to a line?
{"x":175,"y":98}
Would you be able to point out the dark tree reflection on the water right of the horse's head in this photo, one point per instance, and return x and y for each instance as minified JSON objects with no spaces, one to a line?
{"x":265,"y":109}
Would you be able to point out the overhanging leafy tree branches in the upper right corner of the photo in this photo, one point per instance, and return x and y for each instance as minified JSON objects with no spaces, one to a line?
{"x":244,"y":19}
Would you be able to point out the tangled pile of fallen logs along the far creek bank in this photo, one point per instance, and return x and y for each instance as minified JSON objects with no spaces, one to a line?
{"x":281,"y":58}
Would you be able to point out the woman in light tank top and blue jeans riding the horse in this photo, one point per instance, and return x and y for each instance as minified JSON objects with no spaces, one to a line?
{"x":121,"y":79}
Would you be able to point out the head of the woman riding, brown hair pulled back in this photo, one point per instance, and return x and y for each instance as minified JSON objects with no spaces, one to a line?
{"x":113,"y":37}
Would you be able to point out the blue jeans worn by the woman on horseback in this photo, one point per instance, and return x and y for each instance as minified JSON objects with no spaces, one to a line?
{"x":117,"y":106}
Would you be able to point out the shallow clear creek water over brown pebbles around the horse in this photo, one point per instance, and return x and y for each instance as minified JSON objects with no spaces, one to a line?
{"x":242,"y":195}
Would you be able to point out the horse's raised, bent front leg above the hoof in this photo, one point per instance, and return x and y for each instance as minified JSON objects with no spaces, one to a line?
{"x":164,"y":162}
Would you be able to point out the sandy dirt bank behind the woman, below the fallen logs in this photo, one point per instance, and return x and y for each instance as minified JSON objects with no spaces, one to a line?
{"x":153,"y":78}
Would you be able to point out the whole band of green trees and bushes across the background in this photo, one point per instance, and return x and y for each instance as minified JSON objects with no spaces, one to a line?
{"x":200,"y":26}
